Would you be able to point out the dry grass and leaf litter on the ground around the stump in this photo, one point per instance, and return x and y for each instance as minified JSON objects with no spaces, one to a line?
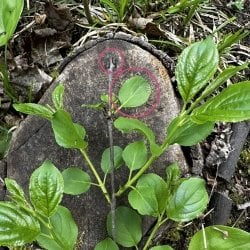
{"x":49,"y":31}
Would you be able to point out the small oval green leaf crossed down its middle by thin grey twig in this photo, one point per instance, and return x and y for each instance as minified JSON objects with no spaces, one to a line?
{"x":105,"y":161}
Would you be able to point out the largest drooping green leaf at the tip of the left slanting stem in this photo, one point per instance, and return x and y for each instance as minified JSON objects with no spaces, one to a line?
{"x":67,"y":133}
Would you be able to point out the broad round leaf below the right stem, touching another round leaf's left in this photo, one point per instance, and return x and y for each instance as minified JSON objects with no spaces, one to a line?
{"x":150,"y":195}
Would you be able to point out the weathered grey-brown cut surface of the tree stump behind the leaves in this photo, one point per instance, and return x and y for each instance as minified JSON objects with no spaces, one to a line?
{"x":85,"y":78}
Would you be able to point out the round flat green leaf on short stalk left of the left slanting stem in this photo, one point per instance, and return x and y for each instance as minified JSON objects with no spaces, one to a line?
{"x":76,"y":181}
